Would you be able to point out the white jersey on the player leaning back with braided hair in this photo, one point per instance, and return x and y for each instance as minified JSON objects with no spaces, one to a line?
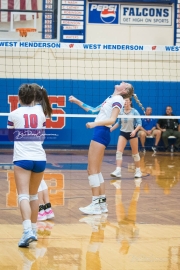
{"x":108,"y":105}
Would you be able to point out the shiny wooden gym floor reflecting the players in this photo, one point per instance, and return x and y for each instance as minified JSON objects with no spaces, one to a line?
{"x":140,"y":232}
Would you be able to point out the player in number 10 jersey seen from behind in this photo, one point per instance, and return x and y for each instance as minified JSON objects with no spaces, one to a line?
{"x":29,"y":156}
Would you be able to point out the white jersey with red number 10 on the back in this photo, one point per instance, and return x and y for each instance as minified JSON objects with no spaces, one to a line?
{"x":26,"y":117}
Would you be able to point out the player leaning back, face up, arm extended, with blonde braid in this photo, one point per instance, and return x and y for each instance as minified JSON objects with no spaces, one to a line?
{"x":108,"y":112}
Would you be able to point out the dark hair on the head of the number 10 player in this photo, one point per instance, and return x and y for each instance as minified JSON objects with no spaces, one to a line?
{"x":26,"y":94}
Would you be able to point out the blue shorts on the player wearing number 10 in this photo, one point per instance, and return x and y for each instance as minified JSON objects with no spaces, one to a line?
{"x":30,"y":165}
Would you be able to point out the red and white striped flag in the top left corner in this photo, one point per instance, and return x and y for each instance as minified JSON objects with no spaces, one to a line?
{"x":17,"y":5}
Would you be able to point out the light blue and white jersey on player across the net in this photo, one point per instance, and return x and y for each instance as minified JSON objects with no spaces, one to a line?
{"x":129,"y":124}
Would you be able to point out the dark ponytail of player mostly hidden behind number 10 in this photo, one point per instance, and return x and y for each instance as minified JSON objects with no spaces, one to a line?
{"x":41,"y":97}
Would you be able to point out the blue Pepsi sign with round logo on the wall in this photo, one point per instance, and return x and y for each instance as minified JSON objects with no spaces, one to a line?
{"x":103,"y":13}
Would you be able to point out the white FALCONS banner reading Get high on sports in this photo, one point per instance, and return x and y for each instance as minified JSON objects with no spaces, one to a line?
{"x":146,"y":15}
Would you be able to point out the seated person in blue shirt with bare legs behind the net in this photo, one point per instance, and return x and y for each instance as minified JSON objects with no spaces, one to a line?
{"x":149,"y":129}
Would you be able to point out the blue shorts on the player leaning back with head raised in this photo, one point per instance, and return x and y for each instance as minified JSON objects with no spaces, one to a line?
{"x":102,"y":135}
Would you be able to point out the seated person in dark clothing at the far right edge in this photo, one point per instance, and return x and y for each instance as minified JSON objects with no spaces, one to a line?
{"x":169,"y":127}
